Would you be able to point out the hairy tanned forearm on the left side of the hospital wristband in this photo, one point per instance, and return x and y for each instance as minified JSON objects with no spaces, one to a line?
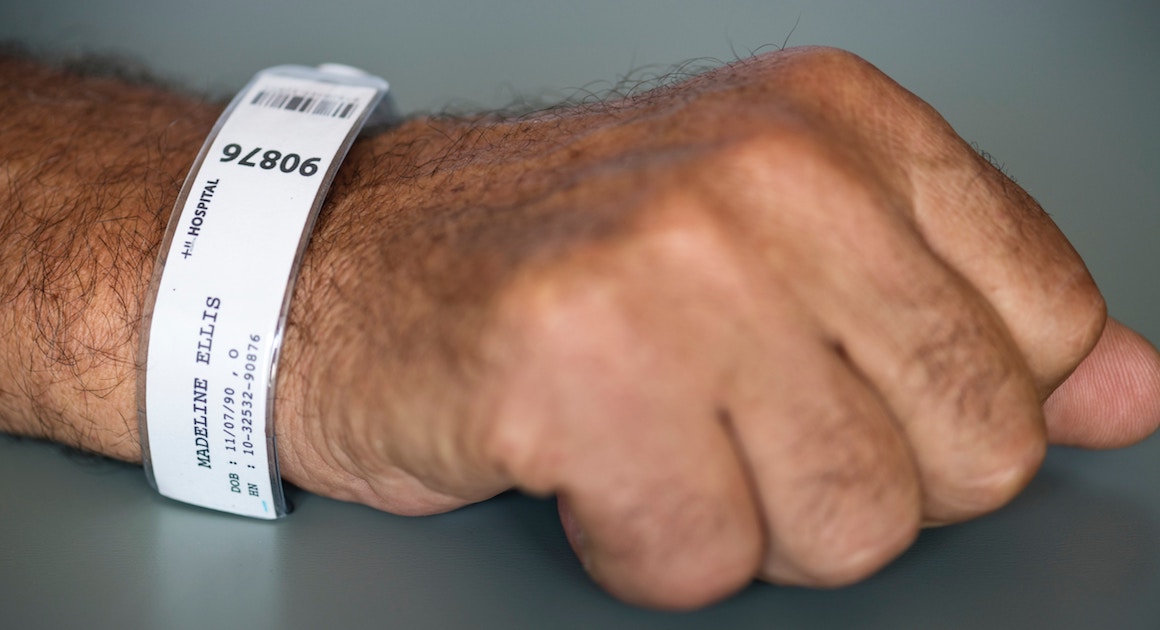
{"x":90,"y":169}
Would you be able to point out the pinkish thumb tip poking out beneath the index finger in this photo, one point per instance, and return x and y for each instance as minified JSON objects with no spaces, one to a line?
{"x":1113,"y":399}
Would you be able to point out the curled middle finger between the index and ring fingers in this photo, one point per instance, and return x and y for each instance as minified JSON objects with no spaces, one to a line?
{"x":961,"y":392}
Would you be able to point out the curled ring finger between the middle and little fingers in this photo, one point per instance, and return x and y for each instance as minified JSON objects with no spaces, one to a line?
{"x":838,"y":488}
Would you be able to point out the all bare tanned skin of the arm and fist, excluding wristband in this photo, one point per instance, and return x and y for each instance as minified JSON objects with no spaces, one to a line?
{"x":767,"y":323}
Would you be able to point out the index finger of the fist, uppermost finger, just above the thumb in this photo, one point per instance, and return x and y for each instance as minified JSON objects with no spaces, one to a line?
{"x":971,"y":215}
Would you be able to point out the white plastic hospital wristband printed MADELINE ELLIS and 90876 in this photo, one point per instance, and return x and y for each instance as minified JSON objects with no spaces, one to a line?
{"x":224,"y":279}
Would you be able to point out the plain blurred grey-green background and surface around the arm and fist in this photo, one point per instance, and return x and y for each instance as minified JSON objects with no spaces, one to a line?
{"x":1065,"y":95}
